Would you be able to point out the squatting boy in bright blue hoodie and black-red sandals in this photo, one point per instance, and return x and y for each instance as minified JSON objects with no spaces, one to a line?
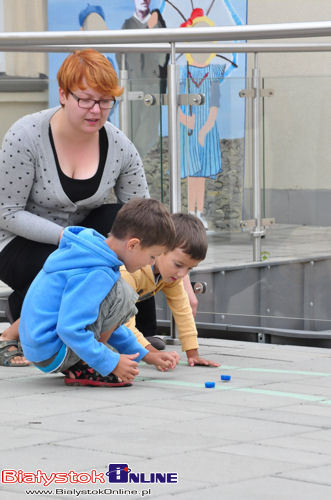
{"x":78,"y":303}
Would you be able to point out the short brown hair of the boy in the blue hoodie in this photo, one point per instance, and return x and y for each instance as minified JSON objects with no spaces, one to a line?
{"x":146,"y":219}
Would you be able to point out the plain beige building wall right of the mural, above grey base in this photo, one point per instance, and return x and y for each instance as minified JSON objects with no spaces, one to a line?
{"x":297,"y":119}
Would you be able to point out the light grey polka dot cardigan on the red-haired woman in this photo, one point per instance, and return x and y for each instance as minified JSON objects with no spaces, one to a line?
{"x":32,"y":202}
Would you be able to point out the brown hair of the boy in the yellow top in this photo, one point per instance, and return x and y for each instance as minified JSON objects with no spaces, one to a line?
{"x":191,"y":235}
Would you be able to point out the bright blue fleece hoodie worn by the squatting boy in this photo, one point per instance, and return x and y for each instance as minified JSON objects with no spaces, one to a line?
{"x":64,"y":299}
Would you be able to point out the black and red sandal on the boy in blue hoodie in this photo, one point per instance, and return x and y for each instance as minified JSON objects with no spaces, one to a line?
{"x":84,"y":375}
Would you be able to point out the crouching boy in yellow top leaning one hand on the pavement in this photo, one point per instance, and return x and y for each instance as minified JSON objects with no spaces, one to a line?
{"x":167,"y":275}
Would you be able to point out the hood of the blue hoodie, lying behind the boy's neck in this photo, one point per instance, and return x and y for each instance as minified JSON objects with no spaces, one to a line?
{"x":81,"y":247}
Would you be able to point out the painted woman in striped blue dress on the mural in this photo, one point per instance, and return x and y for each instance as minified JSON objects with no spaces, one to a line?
{"x":199,"y":133}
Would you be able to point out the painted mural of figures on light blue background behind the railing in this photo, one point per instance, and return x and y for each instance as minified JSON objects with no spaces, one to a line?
{"x":211,"y":135}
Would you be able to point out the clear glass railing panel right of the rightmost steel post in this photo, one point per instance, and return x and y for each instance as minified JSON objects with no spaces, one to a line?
{"x":297,"y":184}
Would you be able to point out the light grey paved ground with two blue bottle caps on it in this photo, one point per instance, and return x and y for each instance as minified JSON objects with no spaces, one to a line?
{"x":266,"y":434}
